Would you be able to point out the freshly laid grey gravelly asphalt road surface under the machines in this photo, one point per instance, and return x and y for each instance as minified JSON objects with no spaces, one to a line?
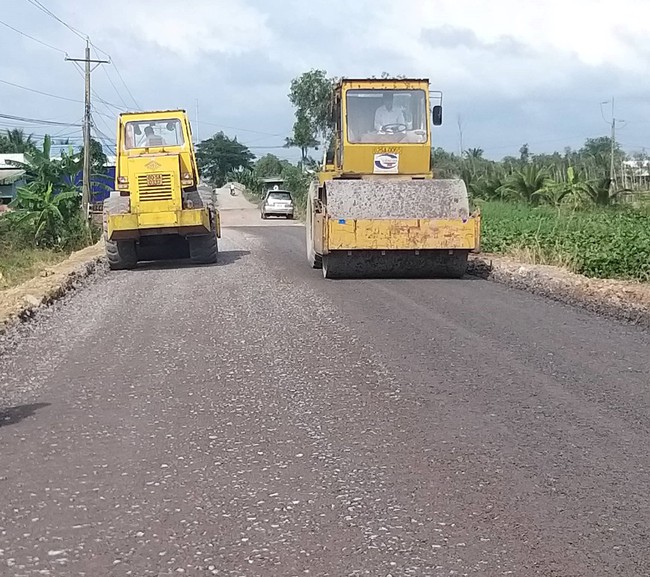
{"x":253,"y":419}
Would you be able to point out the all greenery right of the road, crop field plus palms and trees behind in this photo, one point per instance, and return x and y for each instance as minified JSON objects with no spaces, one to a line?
{"x":565,"y":209}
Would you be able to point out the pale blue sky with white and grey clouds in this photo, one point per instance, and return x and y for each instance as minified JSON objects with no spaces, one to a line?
{"x":511,"y":72}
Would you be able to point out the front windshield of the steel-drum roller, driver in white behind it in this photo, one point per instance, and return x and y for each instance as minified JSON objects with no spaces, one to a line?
{"x":380,"y":116}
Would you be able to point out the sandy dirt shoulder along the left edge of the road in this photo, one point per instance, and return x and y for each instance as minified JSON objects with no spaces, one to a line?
{"x":52,"y":283}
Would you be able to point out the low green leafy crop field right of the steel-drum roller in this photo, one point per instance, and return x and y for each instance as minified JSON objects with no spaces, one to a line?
{"x":600,"y":243}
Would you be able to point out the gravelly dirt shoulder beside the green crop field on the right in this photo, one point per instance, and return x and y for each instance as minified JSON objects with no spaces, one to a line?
{"x":624,"y":301}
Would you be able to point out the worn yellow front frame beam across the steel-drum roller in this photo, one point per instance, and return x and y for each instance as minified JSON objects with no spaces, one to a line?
{"x":403,"y":234}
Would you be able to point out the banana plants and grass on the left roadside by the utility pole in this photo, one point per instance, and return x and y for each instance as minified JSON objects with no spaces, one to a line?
{"x":44,"y":223}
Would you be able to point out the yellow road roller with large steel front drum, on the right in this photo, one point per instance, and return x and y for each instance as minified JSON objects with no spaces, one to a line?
{"x":376,"y":210}
